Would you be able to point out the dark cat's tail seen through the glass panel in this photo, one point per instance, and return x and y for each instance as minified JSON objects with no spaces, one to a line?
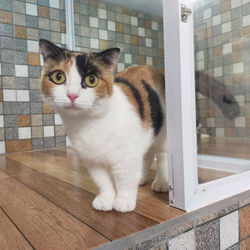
{"x":219,"y":93}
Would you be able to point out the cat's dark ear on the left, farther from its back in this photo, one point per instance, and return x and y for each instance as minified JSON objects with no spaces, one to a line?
{"x":51,"y":51}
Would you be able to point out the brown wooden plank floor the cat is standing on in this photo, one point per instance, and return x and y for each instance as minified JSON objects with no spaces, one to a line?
{"x":45,"y":203}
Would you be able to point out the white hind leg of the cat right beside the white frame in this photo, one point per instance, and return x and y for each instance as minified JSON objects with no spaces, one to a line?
{"x":160,"y":183}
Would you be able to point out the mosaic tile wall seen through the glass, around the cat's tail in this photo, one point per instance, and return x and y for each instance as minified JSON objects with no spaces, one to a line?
{"x":222,"y":45}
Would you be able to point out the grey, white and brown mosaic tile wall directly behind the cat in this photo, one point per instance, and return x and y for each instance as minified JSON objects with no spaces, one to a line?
{"x":25,"y":122}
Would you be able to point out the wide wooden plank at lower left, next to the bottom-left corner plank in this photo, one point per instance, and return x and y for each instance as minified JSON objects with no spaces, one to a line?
{"x":44,"y":224}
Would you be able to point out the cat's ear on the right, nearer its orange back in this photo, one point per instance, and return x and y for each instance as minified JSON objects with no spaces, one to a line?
{"x":109,"y":57}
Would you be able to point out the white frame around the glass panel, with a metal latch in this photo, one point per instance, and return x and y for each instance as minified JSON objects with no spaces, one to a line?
{"x":185,"y":192}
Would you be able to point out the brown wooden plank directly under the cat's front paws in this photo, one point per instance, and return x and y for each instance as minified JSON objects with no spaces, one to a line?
{"x":78,"y":202}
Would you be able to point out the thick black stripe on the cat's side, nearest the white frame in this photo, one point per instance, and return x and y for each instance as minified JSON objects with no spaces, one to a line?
{"x":155,"y":107}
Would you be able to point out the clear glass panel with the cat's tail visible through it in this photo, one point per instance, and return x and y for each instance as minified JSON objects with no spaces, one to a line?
{"x":222,"y":49}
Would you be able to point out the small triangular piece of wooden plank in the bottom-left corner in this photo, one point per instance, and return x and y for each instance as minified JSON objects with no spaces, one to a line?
{"x":10,"y":237}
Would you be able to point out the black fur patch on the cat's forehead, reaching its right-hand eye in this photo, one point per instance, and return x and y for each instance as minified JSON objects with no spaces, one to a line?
{"x":85,"y":67}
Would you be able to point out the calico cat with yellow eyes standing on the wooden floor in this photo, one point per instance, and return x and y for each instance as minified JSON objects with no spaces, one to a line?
{"x":116,"y":126}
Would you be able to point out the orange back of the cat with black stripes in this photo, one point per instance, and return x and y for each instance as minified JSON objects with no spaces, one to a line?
{"x":145,"y":90}
